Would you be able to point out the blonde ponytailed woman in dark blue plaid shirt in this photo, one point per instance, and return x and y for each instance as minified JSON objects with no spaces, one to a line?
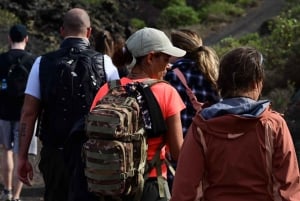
{"x":199,"y":66}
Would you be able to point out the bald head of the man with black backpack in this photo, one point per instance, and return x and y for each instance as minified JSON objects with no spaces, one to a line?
{"x":76,"y":22}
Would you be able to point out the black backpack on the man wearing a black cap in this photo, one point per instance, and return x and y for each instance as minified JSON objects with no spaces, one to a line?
{"x":17,"y":76}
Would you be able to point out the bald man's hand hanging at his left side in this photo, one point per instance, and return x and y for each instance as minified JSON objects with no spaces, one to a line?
{"x":25,"y":171}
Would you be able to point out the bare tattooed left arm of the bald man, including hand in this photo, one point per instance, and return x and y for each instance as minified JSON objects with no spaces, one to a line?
{"x":30,"y":111}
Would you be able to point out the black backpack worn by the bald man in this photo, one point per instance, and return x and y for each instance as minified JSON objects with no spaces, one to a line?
{"x":69,"y":80}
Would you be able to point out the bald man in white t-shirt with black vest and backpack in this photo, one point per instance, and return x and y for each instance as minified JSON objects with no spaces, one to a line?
{"x":61,"y":98}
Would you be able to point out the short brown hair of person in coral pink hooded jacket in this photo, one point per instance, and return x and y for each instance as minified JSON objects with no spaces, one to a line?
{"x":240,"y":70}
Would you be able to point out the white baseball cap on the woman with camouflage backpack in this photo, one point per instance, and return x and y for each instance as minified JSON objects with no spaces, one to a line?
{"x":148,"y":39}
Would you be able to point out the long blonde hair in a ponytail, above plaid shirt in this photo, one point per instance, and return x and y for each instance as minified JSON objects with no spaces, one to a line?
{"x":205,"y":57}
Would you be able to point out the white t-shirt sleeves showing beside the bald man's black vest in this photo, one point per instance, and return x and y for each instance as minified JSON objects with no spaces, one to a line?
{"x":33,"y":83}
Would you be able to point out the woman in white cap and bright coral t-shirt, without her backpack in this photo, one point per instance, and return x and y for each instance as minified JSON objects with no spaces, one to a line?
{"x":147,"y":53}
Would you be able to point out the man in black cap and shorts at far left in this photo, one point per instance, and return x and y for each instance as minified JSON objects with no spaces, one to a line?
{"x":11,"y":101}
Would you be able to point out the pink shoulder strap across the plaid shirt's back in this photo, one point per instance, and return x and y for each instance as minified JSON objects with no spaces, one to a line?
{"x":196,"y":104}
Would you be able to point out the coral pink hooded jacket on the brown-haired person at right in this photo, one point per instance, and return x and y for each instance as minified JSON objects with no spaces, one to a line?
{"x":238,"y":158}
